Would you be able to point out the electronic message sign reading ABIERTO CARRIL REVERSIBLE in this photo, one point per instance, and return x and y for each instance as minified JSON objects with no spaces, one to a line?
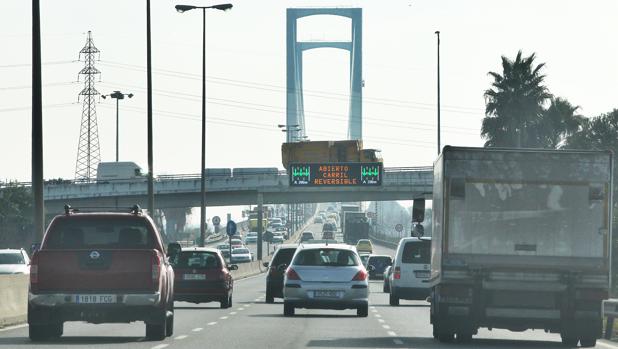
{"x":336,"y":174}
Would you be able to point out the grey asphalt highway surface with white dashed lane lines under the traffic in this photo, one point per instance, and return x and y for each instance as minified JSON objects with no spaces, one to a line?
{"x":251,"y":323}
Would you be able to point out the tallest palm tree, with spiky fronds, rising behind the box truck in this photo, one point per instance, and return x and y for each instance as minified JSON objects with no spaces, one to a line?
{"x":514,"y":103}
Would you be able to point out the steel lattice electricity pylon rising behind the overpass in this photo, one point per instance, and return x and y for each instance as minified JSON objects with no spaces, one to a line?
{"x":88,"y":151}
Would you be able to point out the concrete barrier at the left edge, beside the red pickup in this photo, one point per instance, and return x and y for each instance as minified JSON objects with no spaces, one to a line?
{"x":13,"y":299}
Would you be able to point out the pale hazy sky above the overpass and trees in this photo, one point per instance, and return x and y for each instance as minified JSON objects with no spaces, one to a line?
{"x":246,"y":75}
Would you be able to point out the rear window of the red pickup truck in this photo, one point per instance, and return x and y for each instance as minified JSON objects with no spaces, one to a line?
{"x":100,"y":232}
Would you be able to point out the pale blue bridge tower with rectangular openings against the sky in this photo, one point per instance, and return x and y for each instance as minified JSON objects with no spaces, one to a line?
{"x":295,"y":49}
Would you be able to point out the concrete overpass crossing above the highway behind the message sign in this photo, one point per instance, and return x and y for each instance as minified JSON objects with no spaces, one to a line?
{"x":242,"y":188}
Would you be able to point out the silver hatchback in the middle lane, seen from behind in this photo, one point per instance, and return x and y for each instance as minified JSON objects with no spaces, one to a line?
{"x":326,"y":276}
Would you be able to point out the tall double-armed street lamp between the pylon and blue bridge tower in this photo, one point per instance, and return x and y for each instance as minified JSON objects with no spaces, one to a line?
{"x":181,"y":9}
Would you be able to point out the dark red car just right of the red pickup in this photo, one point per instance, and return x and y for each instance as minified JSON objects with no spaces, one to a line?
{"x":202,"y":276}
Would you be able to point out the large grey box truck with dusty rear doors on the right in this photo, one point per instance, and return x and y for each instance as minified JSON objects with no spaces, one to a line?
{"x":521,"y":240}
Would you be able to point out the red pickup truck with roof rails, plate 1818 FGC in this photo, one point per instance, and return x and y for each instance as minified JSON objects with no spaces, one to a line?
{"x":101,"y":268}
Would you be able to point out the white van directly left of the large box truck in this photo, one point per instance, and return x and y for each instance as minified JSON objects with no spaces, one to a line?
{"x":410,"y":268}
